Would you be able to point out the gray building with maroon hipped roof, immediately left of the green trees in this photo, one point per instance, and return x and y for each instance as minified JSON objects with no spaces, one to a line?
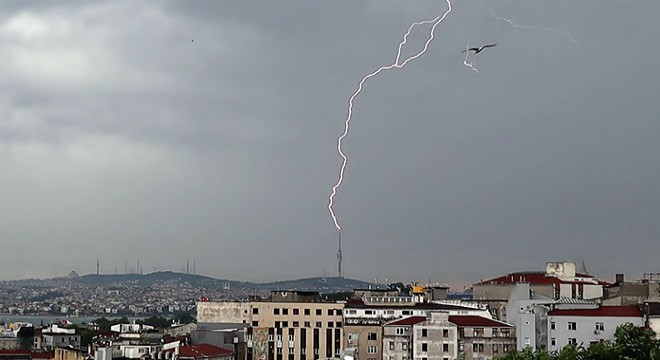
{"x":483,"y":338}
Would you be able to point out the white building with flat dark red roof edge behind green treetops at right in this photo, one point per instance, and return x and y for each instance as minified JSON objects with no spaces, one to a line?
{"x":589,"y":324}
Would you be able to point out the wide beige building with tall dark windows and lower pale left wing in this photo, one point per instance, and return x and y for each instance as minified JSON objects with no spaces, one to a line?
{"x":291,"y":325}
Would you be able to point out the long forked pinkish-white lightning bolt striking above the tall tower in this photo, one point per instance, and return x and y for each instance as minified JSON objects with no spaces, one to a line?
{"x":398,"y":64}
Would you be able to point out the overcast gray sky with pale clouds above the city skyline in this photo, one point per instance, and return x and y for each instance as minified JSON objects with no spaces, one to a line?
{"x":121,"y":138}
